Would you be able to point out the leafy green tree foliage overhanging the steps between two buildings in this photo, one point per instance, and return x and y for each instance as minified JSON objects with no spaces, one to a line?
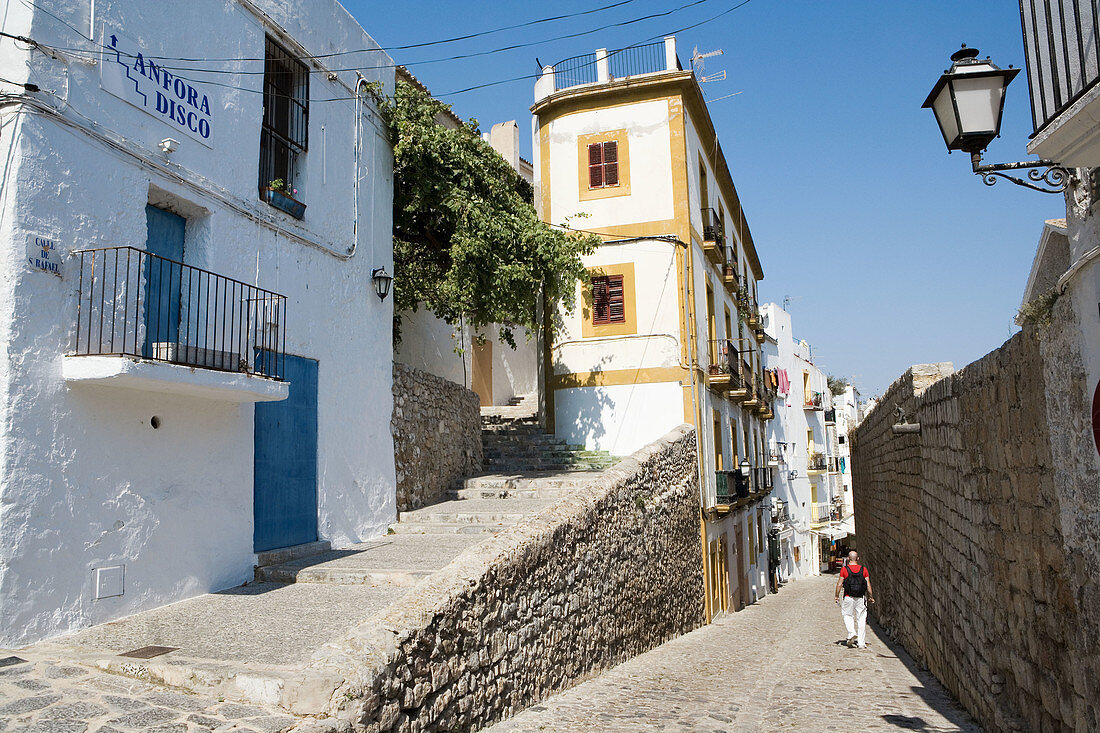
{"x":468,"y":243}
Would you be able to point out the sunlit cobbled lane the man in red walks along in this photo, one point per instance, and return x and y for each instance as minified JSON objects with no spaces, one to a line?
{"x":775,"y":666}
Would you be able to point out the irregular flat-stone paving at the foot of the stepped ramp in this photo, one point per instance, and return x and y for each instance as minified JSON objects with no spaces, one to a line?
{"x":45,"y":696}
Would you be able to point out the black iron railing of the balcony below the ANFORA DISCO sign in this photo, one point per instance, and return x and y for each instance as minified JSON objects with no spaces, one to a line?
{"x":134,"y":303}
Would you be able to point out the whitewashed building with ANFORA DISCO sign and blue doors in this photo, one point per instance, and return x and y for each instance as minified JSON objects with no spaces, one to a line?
{"x":194,"y":369}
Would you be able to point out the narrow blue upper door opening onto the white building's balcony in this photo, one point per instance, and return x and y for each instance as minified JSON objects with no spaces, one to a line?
{"x":166,"y":239}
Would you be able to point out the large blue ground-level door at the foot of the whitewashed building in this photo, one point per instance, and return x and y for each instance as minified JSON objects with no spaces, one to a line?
{"x":285,"y":484}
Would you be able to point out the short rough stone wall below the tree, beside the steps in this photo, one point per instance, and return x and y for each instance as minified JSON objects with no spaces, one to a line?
{"x":437,"y":436}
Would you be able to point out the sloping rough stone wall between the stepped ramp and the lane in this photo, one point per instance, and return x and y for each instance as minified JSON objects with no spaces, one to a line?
{"x":606,"y":574}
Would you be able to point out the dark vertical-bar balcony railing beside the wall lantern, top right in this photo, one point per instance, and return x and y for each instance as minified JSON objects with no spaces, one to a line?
{"x":1061,"y":50}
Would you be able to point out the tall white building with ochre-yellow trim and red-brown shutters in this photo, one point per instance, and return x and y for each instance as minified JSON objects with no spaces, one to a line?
{"x":669,"y":333}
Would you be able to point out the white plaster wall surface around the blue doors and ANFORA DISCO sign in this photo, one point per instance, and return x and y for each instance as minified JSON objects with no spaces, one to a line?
{"x":86,"y":482}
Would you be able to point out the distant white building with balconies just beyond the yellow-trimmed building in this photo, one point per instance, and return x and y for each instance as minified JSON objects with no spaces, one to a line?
{"x":804,"y":446}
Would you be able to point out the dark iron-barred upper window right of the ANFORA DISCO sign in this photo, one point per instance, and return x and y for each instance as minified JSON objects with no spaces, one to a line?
{"x":285,"y":132}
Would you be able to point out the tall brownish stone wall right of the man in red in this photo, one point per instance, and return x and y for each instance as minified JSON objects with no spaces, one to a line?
{"x":962,"y":527}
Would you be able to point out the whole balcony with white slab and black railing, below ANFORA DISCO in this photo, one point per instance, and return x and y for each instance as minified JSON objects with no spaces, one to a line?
{"x":149,"y":323}
